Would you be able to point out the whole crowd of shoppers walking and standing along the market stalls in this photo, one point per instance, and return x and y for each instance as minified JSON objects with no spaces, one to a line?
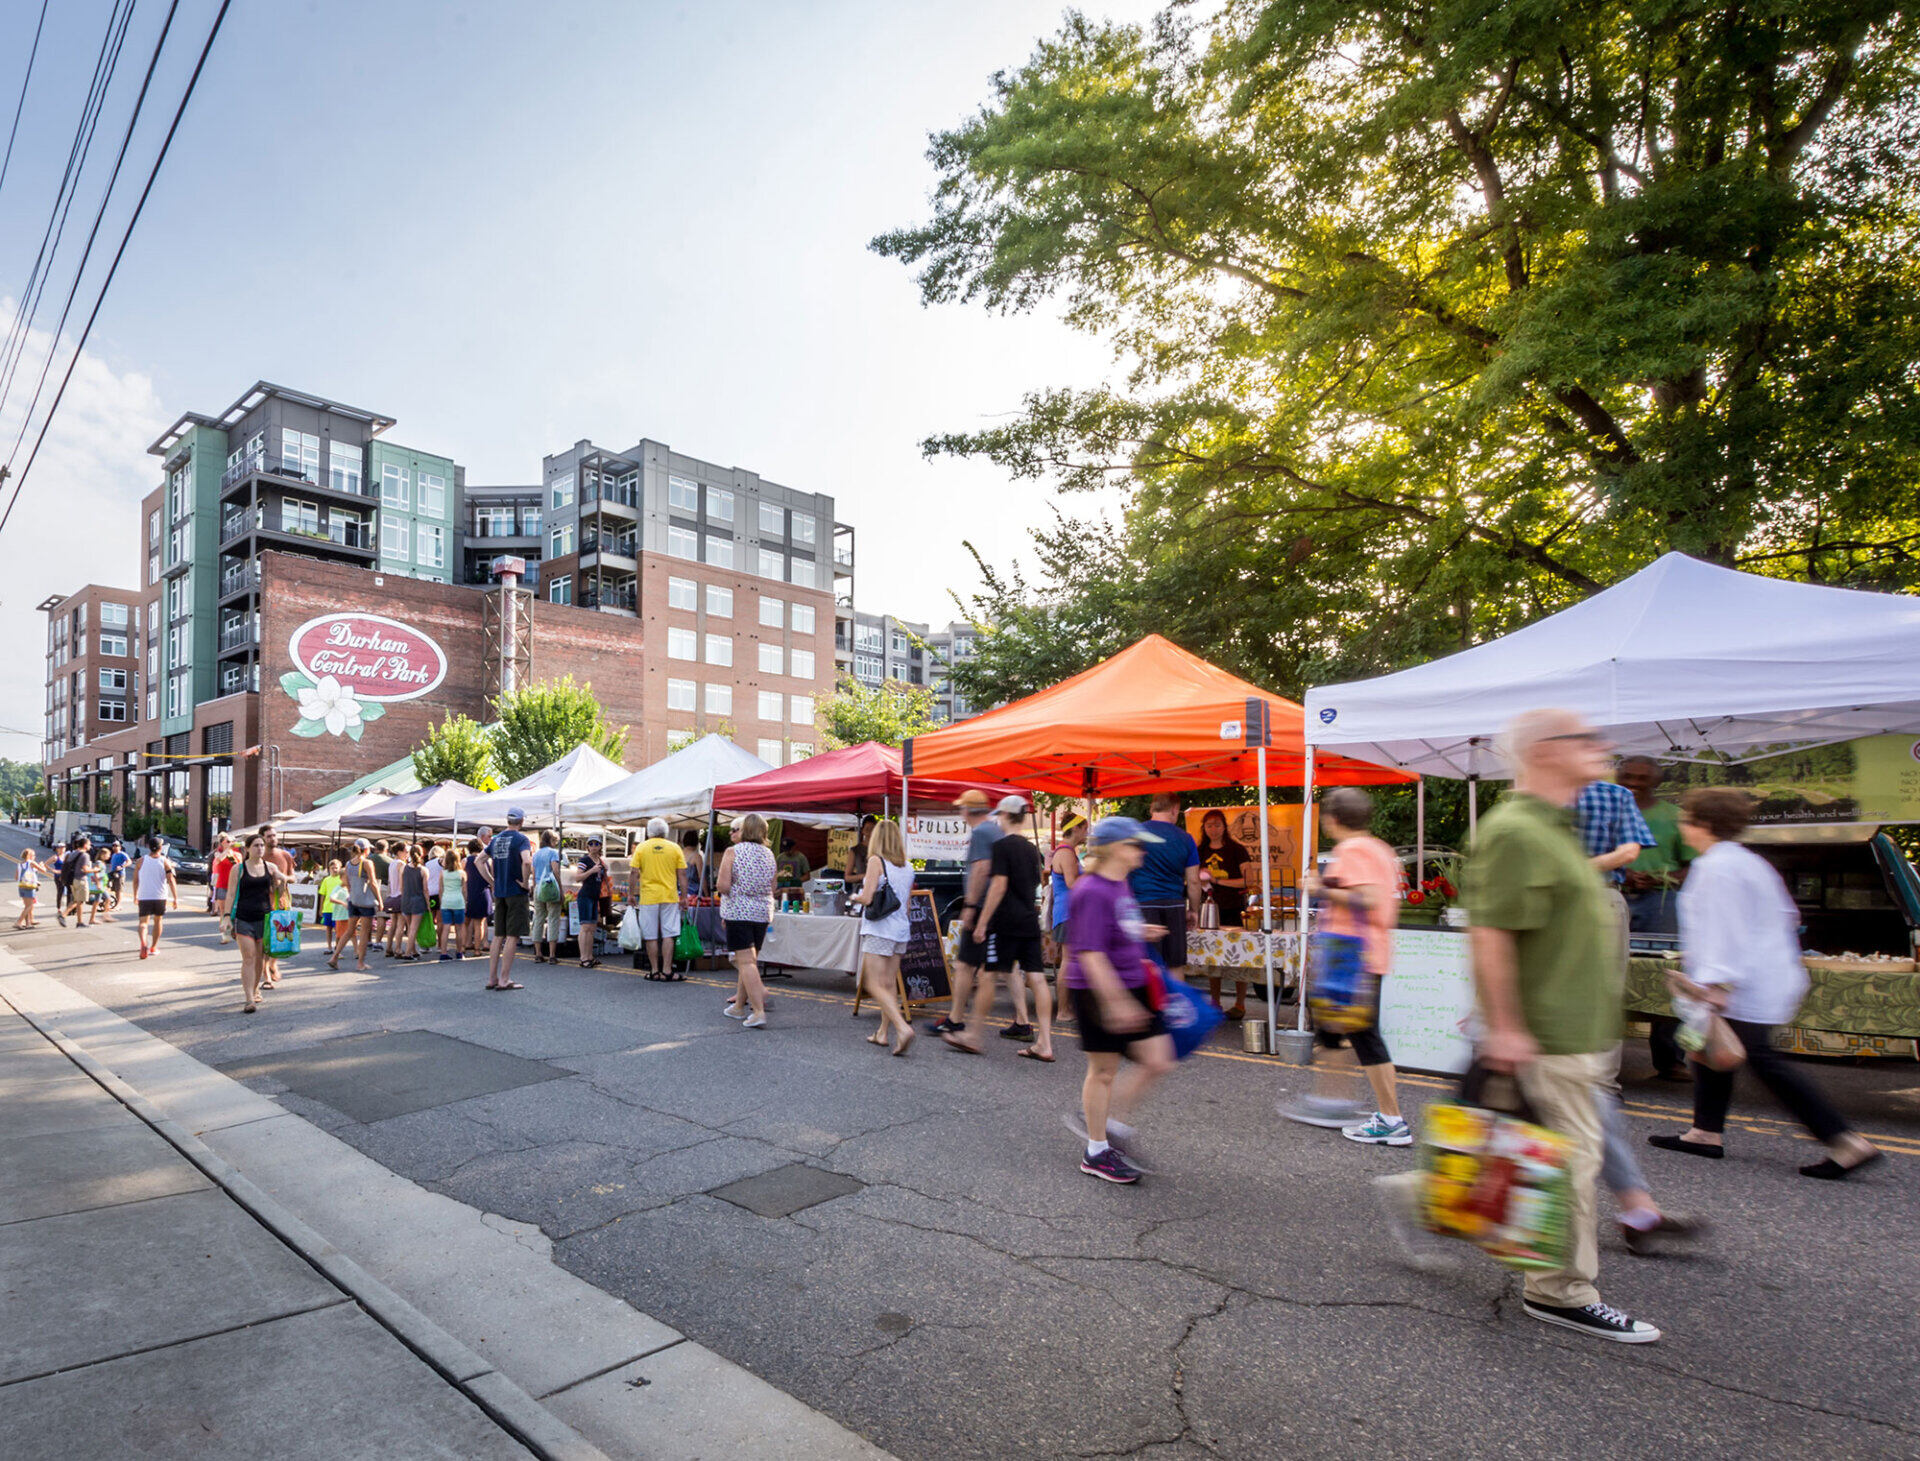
{"x":1562,"y":873}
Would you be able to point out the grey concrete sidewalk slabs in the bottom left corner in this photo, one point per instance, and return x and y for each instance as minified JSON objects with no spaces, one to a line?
{"x":151,"y":1314}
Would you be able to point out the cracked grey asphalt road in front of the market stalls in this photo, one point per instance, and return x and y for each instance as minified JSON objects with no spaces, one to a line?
{"x":982,"y":1299}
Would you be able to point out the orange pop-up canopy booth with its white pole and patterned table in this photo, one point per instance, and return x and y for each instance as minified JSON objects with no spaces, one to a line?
{"x":1149,"y":719}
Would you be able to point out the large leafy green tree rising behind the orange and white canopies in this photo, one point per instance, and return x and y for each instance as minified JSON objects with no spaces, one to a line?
{"x":1437,"y":318}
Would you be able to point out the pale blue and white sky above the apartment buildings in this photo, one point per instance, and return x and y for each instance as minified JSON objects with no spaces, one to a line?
{"x":519,"y":226}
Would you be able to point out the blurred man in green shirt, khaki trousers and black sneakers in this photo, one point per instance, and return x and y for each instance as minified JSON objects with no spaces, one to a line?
{"x":1547,"y":967}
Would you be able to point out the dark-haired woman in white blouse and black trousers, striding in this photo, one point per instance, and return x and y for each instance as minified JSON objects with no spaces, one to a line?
{"x":1740,"y":946}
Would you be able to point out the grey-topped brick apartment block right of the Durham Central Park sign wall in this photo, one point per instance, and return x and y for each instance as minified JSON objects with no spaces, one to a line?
{"x":736,"y":579}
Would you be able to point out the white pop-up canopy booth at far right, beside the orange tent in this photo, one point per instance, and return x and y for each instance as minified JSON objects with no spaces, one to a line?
{"x":1687,"y":663}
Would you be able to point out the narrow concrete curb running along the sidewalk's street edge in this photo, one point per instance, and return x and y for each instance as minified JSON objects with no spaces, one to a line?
{"x":508,"y":1404}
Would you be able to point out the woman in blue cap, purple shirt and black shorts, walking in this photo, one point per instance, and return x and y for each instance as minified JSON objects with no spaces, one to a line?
{"x":1113,"y":990}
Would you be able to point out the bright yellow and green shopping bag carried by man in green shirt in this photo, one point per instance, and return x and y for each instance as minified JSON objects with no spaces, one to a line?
{"x":1495,"y":1176}
